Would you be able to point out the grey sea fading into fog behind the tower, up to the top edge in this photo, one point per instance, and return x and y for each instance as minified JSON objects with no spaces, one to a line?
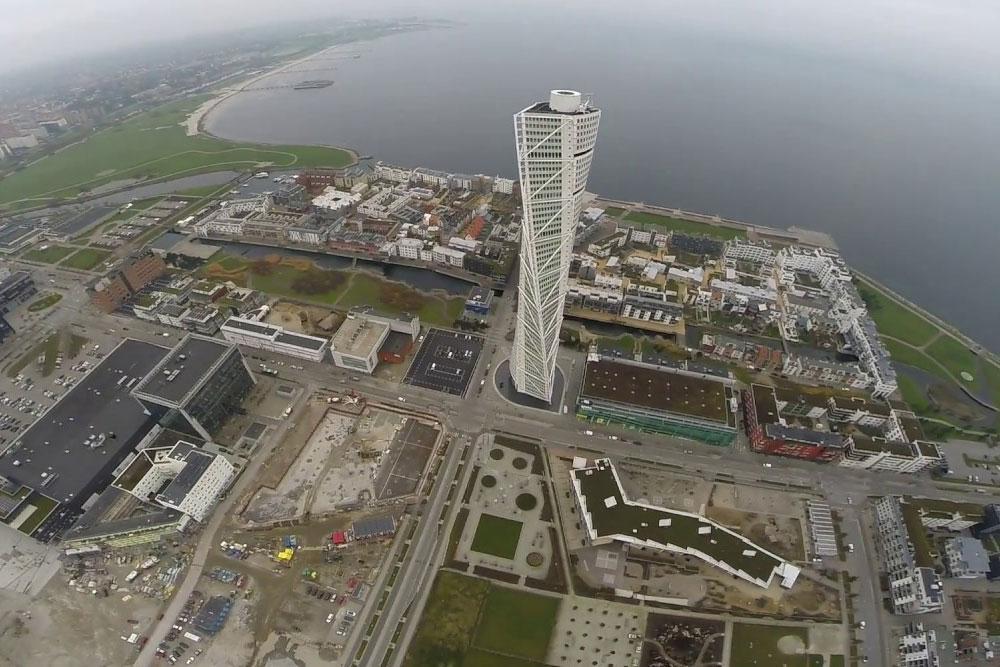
{"x":882,"y":132}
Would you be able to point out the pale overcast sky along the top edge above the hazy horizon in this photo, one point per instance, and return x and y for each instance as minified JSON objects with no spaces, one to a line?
{"x":932,"y":35}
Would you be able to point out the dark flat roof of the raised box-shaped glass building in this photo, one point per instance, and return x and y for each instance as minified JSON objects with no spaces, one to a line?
{"x":184,"y":369}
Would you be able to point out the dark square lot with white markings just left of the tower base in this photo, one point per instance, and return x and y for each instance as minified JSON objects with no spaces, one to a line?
{"x":445,"y":361}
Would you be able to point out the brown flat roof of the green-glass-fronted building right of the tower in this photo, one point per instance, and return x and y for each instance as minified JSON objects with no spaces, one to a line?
{"x":656,"y":389}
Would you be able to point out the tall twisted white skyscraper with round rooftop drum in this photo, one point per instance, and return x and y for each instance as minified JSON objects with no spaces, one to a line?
{"x":555,"y":146}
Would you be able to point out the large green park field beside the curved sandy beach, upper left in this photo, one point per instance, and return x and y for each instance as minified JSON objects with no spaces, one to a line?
{"x":153,"y":146}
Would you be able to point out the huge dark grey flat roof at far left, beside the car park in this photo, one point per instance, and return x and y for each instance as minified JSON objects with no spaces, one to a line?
{"x":98,"y":404}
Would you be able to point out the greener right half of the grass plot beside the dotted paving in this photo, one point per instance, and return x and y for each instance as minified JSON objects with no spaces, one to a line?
{"x":517,"y":623}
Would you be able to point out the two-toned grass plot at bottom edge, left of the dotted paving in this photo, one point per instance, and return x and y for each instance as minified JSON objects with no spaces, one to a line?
{"x":470,"y":622}
